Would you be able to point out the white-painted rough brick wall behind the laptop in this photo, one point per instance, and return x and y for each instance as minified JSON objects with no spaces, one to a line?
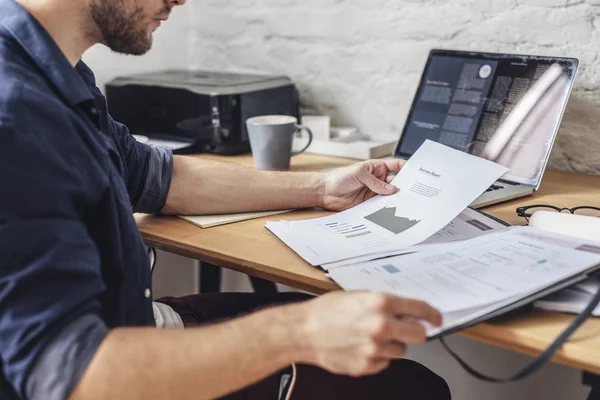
{"x":360,"y":60}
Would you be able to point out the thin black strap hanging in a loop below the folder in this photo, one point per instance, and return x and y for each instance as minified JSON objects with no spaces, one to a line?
{"x":542,"y":359}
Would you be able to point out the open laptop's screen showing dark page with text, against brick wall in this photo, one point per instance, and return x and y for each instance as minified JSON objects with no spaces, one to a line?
{"x":464,"y":98}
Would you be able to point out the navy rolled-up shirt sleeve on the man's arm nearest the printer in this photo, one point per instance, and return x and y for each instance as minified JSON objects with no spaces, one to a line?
{"x":149,"y":170}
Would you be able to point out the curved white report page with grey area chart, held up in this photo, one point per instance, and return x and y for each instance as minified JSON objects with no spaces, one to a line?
{"x":435,"y":185}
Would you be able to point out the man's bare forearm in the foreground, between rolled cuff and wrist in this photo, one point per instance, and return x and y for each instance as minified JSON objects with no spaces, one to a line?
{"x":200,"y":363}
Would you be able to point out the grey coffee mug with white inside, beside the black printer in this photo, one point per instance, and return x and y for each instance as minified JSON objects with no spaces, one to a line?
{"x":271,"y":140}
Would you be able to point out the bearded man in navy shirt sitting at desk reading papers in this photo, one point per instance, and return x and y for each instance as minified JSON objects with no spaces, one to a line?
{"x":76,"y":316}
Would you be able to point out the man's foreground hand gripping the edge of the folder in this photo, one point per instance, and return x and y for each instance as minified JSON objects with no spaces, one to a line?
{"x":359,"y":333}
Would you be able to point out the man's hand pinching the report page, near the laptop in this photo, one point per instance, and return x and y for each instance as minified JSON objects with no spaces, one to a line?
{"x":347,"y":187}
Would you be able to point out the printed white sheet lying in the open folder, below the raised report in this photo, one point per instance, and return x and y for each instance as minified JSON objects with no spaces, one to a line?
{"x":468,"y":279}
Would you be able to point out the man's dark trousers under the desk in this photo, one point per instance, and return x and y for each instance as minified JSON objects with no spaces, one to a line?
{"x":403,"y":380}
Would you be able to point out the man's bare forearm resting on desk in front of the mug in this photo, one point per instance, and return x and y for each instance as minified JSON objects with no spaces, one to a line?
{"x":209,"y":187}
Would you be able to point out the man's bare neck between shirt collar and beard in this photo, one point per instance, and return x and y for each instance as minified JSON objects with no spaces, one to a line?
{"x":66,"y":22}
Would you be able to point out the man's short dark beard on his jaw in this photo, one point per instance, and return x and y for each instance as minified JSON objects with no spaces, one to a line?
{"x":123,"y":31}
